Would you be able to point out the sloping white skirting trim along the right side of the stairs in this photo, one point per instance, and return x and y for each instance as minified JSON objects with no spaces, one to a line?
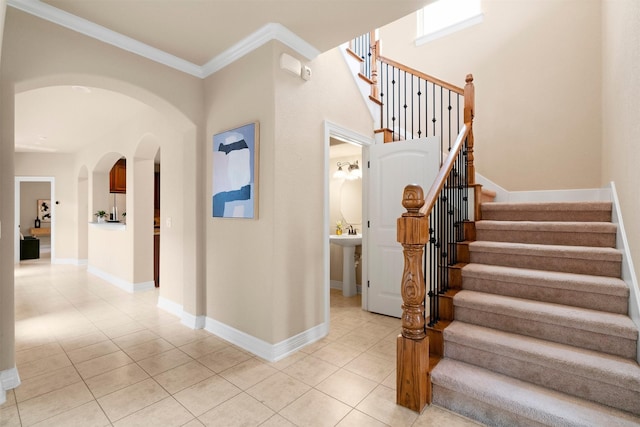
{"x":628,"y":272}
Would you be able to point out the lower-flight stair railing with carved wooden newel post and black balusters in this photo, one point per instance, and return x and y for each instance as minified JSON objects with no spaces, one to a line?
{"x":429,"y":232}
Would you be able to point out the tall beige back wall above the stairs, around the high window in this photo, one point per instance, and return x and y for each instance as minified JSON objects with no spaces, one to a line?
{"x":537,"y":73}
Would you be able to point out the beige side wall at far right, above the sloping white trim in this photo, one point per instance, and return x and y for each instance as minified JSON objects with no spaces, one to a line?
{"x":620,"y":107}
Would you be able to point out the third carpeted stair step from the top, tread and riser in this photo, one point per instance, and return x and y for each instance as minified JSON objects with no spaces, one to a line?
{"x":572,"y":259}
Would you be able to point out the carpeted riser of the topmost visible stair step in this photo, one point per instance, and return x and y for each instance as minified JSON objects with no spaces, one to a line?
{"x":538,"y":215}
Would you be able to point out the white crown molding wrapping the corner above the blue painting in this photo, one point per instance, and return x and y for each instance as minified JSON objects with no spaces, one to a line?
{"x":271,"y":31}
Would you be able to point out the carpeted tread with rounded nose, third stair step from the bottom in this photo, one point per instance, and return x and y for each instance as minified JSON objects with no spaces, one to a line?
{"x":552,"y":314}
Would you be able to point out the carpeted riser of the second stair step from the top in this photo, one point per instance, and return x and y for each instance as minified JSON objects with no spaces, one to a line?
{"x":602,"y":240}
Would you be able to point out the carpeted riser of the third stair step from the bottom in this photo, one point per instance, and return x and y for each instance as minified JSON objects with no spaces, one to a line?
{"x":556,"y":333}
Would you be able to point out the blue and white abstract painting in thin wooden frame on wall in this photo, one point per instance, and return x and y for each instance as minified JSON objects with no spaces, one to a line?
{"x":235,"y":172}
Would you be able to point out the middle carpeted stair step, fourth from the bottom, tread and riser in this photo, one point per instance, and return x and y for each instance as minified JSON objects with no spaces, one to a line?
{"x":580,"y":290}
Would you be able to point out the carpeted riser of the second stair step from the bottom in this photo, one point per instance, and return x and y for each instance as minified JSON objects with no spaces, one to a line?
{"x":556,"y":378}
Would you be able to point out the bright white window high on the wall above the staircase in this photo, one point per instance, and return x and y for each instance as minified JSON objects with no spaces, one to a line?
{"x":444,"y":17}
